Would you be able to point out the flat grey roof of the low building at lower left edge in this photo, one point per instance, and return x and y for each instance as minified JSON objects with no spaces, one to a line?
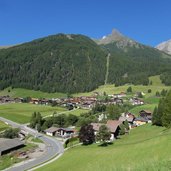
{"x":7,"y":144}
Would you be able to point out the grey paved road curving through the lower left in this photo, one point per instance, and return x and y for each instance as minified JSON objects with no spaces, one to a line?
{"x":53,"y":147}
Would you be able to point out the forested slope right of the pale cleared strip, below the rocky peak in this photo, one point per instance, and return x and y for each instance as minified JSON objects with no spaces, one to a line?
{"x":134,"y":63}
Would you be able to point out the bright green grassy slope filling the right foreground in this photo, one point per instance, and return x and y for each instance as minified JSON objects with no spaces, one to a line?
{"x":146,"y":148}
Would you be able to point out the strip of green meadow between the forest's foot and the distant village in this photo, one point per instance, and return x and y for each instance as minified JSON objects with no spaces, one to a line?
{"x":109,"y":89}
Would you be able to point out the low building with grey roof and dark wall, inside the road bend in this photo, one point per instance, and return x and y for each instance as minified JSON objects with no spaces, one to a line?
{"x":7,"y":145}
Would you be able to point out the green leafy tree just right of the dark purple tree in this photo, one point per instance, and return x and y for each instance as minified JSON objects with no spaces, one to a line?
{"x":103,"y":134}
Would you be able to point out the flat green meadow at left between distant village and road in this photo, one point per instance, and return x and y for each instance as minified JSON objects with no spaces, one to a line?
{"x":21,"y":112}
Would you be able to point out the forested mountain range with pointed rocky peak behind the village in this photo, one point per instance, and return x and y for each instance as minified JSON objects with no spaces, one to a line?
{"x":72,"y":63}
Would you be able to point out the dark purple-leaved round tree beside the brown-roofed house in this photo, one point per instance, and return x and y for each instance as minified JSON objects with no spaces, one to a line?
{"x":86,"y":135}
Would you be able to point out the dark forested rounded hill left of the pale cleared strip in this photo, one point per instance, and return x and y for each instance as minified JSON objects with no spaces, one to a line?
{"x":59,"y":63}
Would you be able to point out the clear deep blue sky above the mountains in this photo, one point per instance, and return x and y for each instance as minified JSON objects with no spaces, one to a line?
{"x":146,"y":21}
